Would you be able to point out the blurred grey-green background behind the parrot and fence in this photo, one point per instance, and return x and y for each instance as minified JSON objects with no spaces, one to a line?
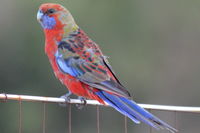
{"x":153,"y":46}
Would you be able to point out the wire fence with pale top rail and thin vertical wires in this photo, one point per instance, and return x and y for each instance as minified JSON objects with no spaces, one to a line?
{"x":45,"y":100}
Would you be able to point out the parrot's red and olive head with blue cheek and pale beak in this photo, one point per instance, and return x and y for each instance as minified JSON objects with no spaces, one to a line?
{"x":53,"y":16}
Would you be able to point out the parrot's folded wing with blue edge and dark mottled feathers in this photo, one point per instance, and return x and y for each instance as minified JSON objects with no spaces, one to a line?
{"x":92,"y":72}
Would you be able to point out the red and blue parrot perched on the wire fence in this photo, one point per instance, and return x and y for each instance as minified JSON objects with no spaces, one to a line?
{"x":80,"y":65}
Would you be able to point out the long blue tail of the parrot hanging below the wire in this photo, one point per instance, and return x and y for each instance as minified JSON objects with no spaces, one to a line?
{"x":136,"y":113}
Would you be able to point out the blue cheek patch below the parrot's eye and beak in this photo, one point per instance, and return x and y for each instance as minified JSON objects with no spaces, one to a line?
{"x":48,"y":22}
